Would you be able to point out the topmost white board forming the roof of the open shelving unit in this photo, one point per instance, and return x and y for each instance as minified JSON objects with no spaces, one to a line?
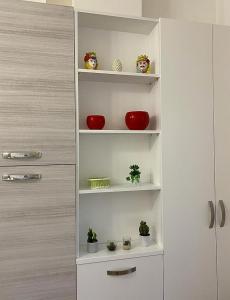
{"x":112,"y":22}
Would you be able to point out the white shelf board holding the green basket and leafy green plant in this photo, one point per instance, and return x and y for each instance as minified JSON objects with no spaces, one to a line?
{"x":121,"y":188}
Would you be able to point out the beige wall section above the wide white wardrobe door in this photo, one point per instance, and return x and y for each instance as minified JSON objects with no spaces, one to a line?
{"x":195,"y":10}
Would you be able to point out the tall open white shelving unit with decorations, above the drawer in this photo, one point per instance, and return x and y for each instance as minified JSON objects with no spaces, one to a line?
{"x":118,"y":210}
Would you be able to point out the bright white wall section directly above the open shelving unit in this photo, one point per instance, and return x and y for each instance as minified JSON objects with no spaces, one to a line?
{"x":124,"y":7}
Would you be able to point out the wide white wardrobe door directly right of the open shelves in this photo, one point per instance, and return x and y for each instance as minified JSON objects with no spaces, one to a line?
{"x":188,"y":161}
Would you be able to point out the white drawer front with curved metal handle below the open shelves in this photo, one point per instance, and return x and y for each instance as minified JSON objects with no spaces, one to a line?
{"x":144,"y":280}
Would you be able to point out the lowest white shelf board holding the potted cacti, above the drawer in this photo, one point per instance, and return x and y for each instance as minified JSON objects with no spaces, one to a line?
{"x":104,"y":255}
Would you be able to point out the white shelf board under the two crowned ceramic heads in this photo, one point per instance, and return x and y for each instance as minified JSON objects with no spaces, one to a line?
{"x":117,"y":77}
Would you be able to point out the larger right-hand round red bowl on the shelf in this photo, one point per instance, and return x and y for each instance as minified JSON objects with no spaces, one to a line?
{"x":137,"y":120}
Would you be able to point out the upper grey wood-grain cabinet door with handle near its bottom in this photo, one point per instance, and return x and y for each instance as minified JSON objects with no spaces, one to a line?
{"x":37,"y":94}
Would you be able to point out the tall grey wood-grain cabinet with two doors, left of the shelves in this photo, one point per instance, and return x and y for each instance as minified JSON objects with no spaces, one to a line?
{"x":37,"y":117}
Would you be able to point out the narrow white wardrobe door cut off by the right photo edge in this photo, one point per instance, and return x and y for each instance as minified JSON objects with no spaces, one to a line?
{"x":222,"y":149}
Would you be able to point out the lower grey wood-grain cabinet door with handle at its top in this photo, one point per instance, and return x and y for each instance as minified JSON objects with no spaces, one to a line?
{"x":37,"y":233}
